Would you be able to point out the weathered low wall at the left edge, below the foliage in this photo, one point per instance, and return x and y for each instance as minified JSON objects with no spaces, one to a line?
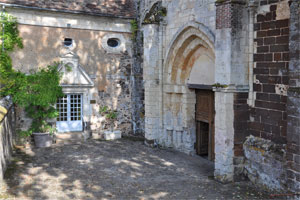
{"x":7,"y":133}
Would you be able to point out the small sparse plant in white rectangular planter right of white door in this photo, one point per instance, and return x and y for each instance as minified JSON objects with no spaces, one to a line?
{"x":111,"y":117}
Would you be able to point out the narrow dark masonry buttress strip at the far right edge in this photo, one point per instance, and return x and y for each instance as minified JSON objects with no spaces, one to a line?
{"x":293,"y":108}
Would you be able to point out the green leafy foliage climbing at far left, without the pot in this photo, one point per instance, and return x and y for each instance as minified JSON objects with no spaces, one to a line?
{"x":36,"y":92}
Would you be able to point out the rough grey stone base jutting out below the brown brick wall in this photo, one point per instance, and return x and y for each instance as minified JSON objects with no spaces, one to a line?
{"x":265,"y":163}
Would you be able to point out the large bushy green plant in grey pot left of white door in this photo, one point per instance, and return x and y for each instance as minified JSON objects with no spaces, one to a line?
{"x":38,"y":95}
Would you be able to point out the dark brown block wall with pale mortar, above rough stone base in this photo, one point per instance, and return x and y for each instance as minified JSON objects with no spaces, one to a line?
{"x":268,"y":117}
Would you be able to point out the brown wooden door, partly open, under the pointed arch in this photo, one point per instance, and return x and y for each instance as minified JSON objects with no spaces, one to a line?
{"x":205,"y":123}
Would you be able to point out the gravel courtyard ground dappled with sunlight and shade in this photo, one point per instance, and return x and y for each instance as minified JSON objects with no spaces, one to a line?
{"x":123,"y":169}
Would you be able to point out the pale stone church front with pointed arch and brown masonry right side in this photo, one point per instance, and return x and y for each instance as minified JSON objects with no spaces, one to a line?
{"x":222,"y":80}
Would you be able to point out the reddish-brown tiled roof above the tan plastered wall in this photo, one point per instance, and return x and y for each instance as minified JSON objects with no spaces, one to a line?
{"x":113,"y":8}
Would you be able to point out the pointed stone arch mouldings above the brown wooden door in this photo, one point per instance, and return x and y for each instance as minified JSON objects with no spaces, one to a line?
{"x":188,"y":40}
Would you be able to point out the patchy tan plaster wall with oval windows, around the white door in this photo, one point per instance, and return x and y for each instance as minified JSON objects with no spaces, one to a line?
{"x":117,"y":84}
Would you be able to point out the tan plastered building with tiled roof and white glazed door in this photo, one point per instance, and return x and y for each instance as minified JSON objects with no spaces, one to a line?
{"x":94,"y":39}
